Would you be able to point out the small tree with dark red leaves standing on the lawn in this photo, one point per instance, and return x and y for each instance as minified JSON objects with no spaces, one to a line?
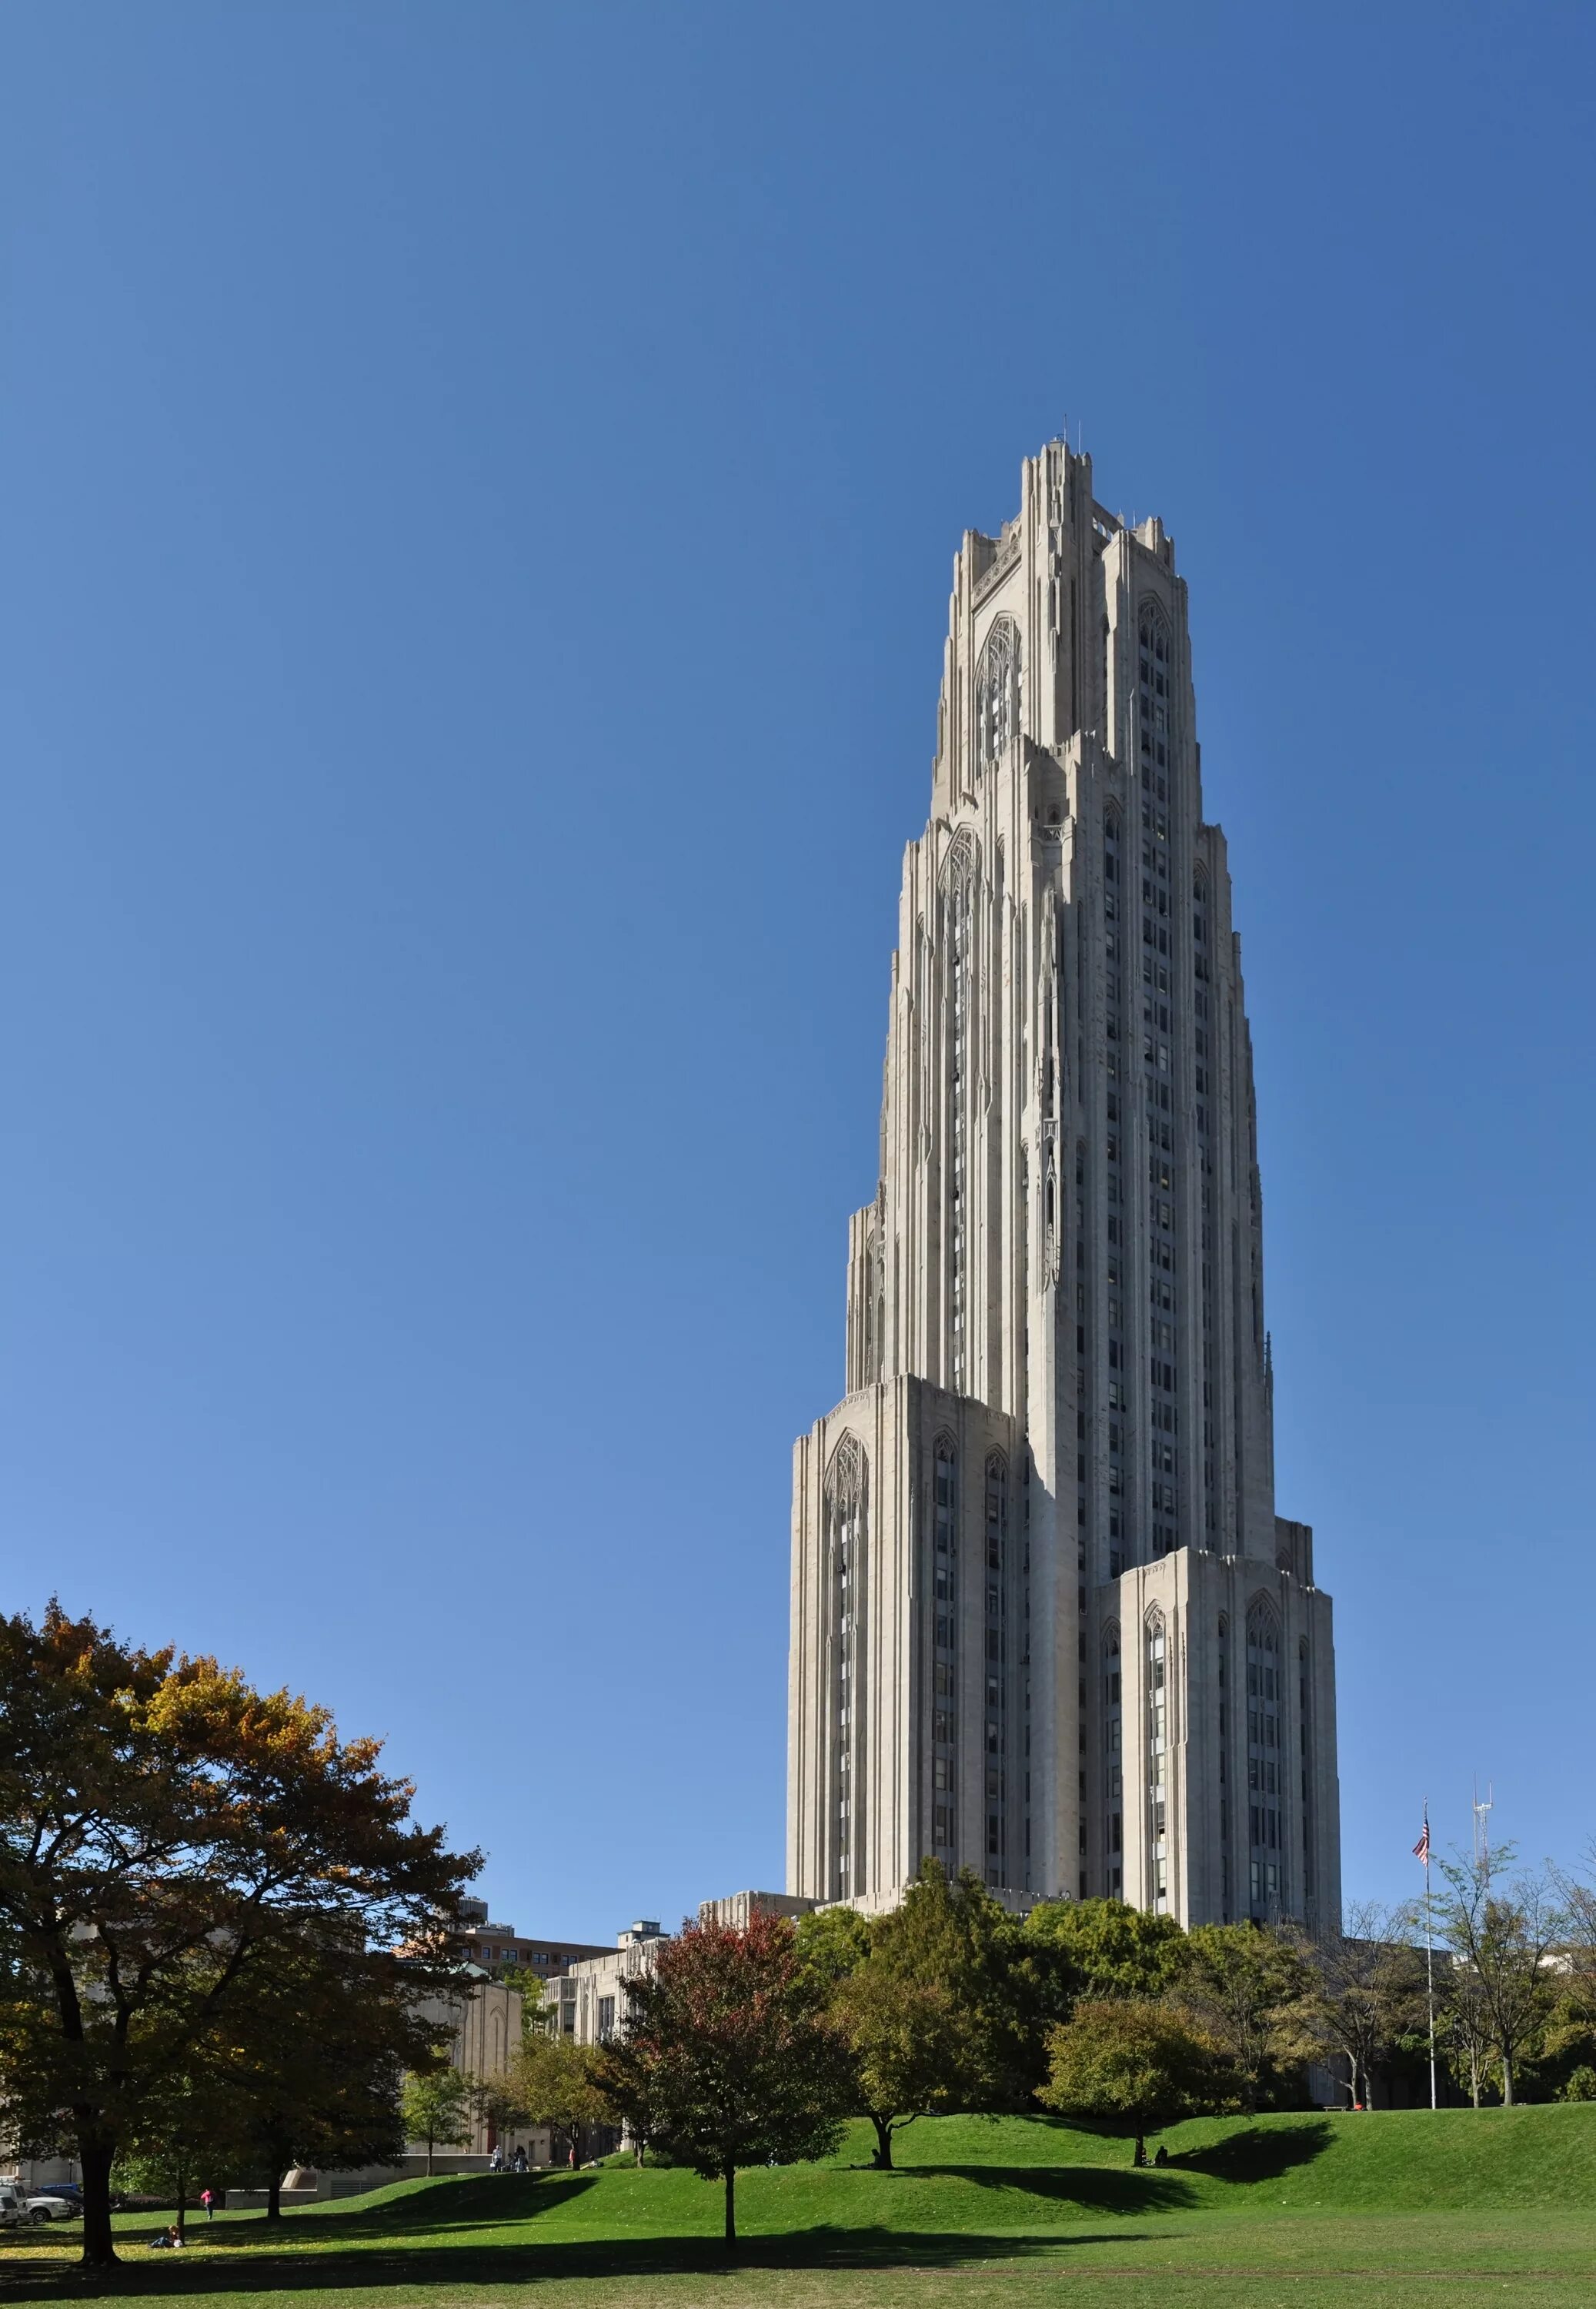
{"x":726,"y":2056}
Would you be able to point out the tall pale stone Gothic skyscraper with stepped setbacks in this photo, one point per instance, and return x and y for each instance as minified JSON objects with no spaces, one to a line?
{"x":1045,"y":1617}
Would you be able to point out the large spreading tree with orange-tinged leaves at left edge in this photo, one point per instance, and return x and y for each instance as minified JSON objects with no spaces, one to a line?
{"x":163,"y":1832}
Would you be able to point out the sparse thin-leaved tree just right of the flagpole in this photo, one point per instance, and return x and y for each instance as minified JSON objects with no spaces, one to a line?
{"x":1505,"y":1934}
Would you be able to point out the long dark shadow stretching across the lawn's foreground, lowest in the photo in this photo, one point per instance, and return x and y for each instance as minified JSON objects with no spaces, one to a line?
{"x":246,"y":2271}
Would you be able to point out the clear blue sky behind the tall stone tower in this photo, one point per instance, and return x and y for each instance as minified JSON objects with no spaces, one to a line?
{"x":479,"y":498}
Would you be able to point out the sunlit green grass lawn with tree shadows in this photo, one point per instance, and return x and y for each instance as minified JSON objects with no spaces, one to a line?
{"x":1022,"y":2211}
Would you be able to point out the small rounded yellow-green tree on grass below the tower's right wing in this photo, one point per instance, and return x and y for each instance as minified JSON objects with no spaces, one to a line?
{"x":1135,"y":2063}
